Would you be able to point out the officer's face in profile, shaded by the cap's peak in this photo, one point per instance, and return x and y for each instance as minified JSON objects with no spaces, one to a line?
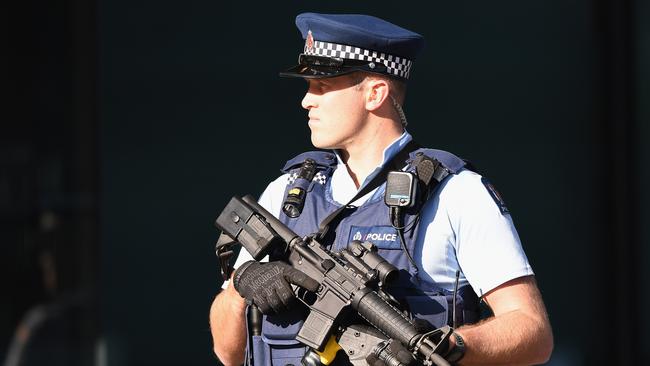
{"x":336,"y":111}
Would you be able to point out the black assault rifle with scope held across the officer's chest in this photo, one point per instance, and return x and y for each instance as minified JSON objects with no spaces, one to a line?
{"x":352,"y":278}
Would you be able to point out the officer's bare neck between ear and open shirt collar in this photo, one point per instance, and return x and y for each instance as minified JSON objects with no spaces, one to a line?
{"x":366,"y":152}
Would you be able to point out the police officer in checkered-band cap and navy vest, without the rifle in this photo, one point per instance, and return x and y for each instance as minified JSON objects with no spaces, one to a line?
{"x":459,"y":243}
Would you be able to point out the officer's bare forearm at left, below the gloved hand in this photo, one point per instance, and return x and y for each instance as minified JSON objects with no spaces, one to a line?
{"x":228,"y":326}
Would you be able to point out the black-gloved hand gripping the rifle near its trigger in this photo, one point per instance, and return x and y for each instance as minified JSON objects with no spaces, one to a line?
{"x":268,"y":285}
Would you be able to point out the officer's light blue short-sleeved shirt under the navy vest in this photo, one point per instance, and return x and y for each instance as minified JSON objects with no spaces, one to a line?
{"x":461,"y":228}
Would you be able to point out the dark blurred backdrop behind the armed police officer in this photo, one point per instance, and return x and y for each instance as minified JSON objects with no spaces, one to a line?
{"x":129,"y":124}
